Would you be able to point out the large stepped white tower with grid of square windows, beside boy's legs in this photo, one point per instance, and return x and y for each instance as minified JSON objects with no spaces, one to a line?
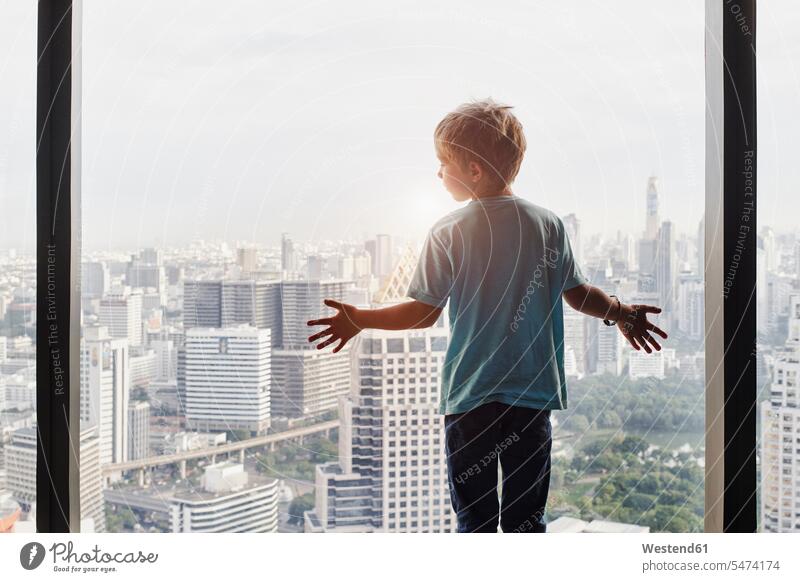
{"x":391,"y":474}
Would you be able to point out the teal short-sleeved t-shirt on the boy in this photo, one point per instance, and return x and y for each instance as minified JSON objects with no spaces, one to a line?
{"x":503,"y":263}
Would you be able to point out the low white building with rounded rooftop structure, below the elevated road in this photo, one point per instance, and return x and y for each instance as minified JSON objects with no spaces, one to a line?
{"x":230,"y":500}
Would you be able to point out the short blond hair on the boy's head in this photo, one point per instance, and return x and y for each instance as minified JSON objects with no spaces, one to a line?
{"x":485,"y":132}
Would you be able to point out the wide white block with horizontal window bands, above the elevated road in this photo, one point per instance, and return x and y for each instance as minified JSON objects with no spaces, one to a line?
{"x":228,"y":378}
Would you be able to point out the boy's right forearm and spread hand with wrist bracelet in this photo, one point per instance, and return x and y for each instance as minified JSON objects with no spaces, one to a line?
{"x":631,"y":319}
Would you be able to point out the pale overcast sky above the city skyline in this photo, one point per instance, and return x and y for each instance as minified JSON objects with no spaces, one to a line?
{"x":244,"y":119}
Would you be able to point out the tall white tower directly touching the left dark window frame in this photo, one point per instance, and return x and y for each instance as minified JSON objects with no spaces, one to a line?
{"x":105,"y":391}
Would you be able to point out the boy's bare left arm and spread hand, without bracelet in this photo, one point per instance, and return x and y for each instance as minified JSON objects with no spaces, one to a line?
{"x":349,"y":320}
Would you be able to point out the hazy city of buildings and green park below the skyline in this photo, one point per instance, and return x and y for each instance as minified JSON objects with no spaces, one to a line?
{"x":205,"y":409}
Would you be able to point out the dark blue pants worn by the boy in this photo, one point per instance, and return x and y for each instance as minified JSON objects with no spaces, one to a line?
{"x":517,"y":438}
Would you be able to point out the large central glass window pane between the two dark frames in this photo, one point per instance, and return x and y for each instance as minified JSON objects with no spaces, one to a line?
{"x":243,"y":166}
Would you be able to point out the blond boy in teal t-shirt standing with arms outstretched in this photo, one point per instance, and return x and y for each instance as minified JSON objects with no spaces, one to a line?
{"x":504,"y":264}
